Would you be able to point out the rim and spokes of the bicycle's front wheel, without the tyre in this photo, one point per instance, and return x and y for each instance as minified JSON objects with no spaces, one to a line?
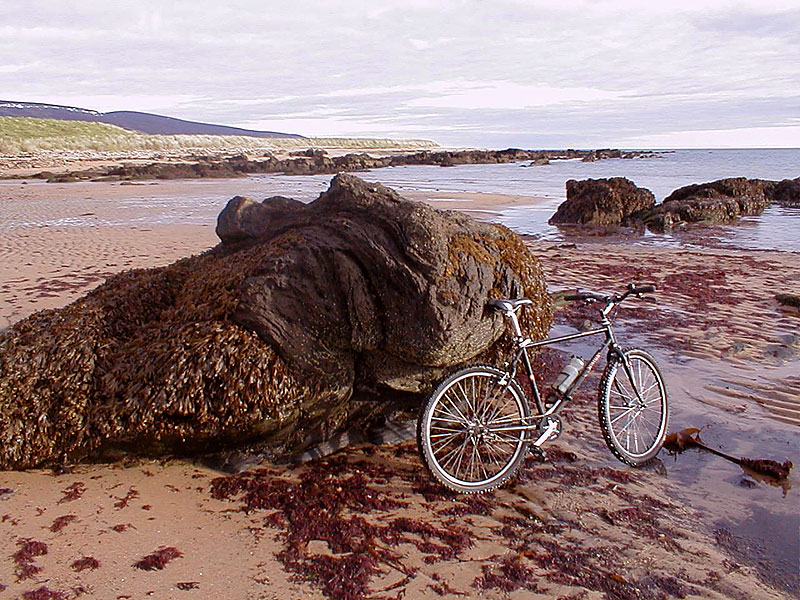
{"x":636,"y":422}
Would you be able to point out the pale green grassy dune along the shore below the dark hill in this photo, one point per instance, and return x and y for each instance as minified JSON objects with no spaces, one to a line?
{"x":20,"y":135}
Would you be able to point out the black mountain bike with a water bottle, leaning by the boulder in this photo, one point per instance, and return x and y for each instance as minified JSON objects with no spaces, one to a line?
{"x":475,"y":429}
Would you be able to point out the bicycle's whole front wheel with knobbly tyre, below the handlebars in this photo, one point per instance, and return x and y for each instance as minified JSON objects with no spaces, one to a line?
{"x":633,"y":408}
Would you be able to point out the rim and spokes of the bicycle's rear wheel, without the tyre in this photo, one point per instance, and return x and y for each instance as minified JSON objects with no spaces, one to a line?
{"x":463,"y":439}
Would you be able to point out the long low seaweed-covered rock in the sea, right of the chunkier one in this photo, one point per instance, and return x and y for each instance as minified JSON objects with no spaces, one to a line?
{"x":717,"y":202}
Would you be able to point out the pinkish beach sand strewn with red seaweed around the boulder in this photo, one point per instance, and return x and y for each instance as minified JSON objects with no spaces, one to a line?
{"x":580,"y":526}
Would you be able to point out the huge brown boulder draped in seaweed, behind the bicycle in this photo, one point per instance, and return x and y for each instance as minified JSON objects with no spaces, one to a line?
{"x":307,"y":321}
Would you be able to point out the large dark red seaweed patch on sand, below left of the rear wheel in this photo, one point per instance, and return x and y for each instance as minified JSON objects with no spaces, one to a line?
{"x":325,"y":503}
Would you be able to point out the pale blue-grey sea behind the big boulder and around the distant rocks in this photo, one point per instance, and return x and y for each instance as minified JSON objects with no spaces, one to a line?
{"x":776,"y":229}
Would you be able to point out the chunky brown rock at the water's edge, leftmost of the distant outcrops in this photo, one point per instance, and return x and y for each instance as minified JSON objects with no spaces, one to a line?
{"x":603,"y":202}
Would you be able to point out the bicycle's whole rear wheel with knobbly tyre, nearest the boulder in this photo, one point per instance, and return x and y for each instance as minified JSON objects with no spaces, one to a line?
{"x":471,"y":432}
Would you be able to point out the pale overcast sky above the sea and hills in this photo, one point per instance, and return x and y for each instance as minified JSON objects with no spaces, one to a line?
{"x":627,"y":73}
